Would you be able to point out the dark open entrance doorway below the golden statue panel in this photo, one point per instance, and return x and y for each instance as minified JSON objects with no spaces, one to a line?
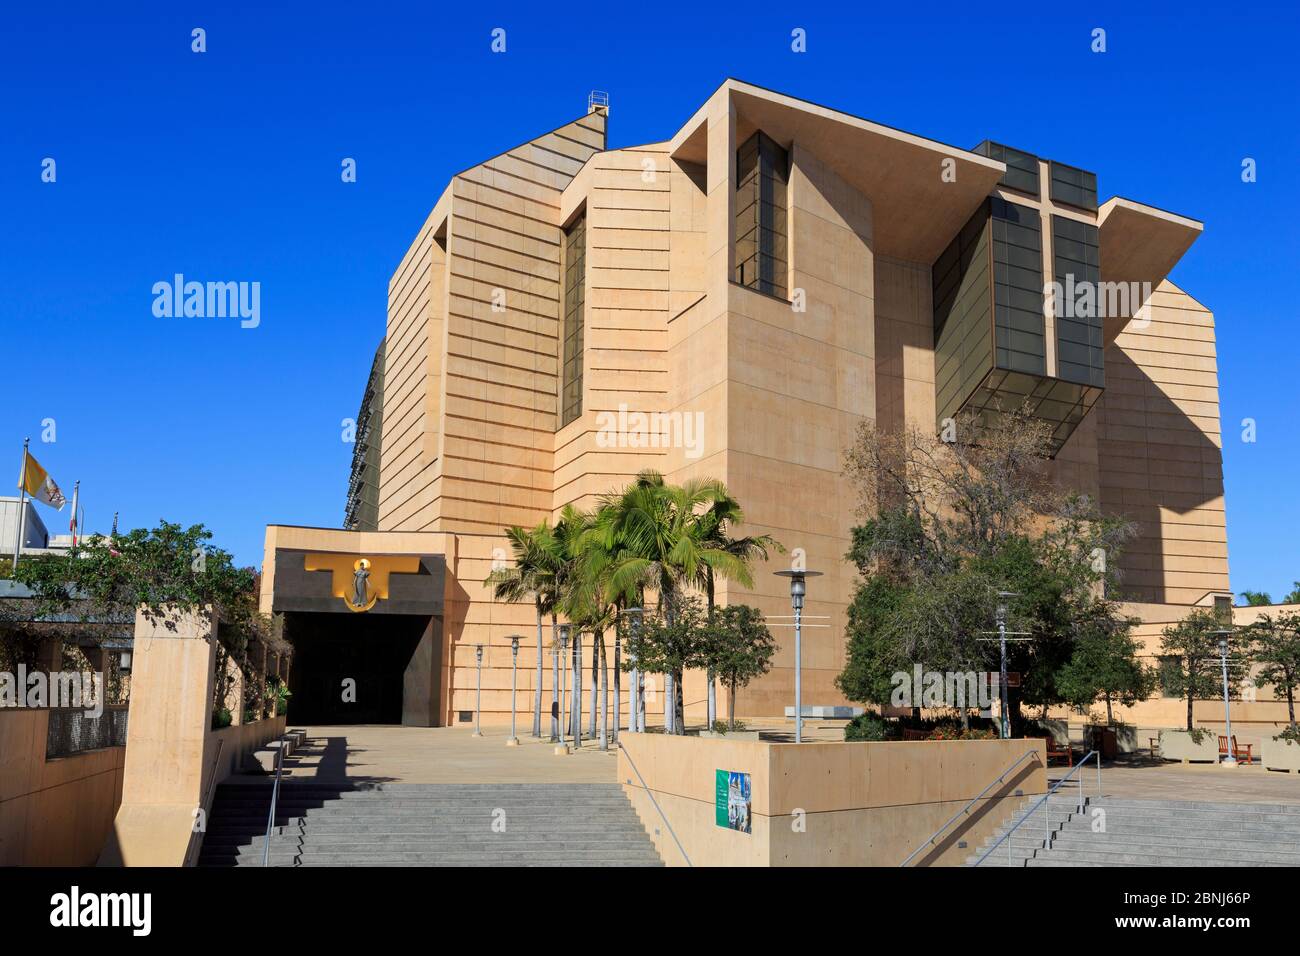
{"x":380,"y":652}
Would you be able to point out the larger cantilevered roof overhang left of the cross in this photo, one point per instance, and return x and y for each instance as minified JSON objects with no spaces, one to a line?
{"x":916,"y":207}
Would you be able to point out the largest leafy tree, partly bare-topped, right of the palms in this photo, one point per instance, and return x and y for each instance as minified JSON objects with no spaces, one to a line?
{"x":947,"y":526}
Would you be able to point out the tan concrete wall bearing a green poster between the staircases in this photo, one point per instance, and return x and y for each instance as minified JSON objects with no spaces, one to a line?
{"x":835,"y":804}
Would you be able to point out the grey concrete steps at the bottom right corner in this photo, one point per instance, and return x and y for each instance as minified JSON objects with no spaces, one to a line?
{"x":1149,"y":833}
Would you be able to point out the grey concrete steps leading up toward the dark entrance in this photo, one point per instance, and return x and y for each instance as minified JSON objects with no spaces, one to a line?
{"x":428,"y":825}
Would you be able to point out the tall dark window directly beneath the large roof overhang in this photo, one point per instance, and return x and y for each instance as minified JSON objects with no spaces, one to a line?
{"x":762,"y":172}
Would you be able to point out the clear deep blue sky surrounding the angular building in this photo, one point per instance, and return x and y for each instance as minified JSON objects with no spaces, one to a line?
{"x":226,"y":166}
